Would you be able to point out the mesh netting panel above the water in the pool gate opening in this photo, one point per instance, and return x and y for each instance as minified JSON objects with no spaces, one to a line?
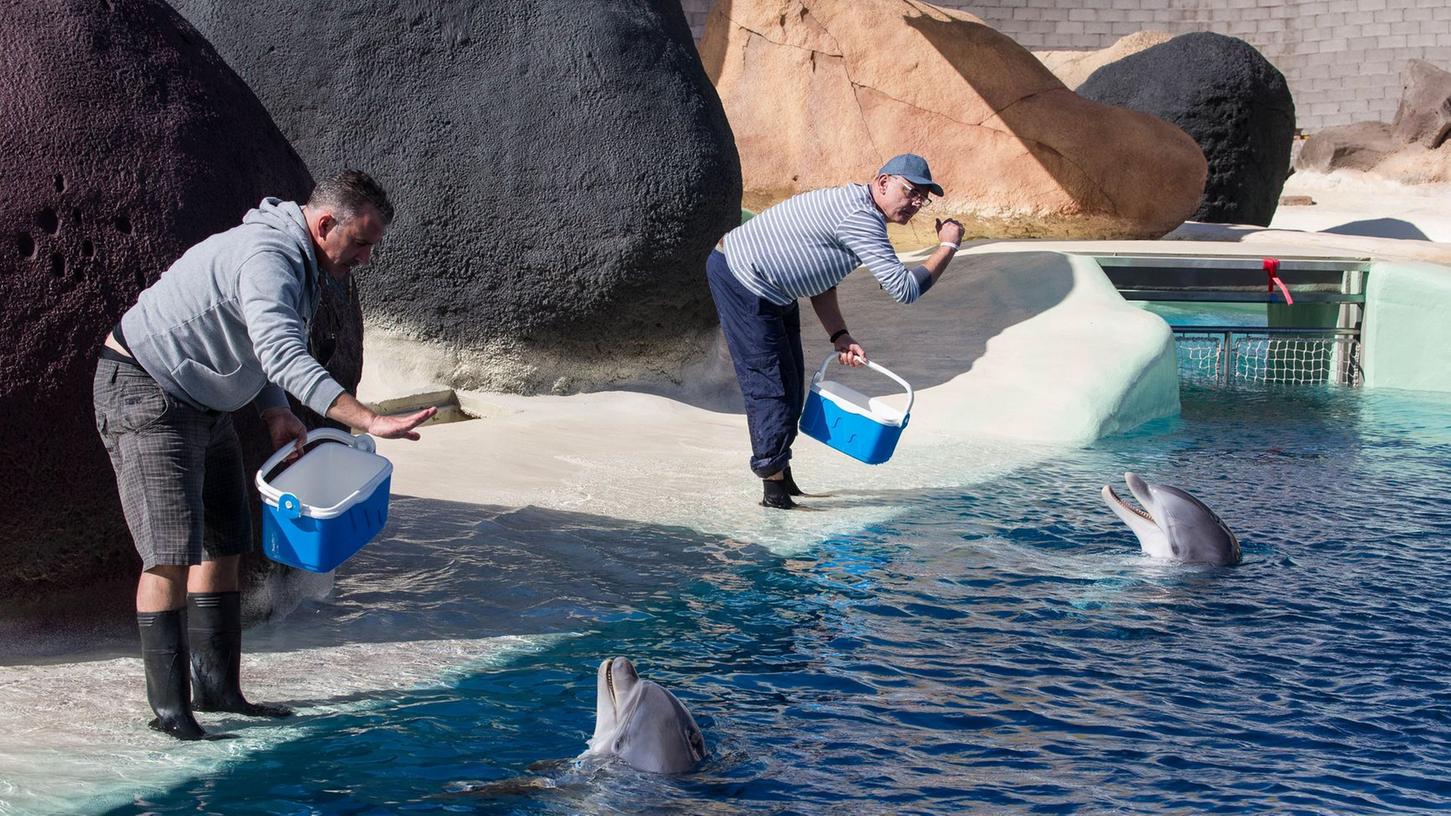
{"x":1240,"y":356}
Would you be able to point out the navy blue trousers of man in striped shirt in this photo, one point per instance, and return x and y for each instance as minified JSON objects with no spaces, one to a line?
{"x":765,"y":346}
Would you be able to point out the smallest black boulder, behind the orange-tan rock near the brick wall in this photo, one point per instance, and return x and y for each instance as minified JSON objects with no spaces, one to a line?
{"x":1225,"y":95}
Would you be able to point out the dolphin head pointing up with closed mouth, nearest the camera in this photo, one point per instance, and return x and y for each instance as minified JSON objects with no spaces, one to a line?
{"x":644,"y":724}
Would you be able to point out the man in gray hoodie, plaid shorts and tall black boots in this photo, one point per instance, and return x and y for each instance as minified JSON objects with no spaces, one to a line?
{"x":226,"y":326}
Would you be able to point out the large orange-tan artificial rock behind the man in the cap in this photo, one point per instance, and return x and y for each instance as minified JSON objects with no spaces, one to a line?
{"x":821,"y":94}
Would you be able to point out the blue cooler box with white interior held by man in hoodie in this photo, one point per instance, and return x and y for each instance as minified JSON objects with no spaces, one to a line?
{"x":327,"y":505}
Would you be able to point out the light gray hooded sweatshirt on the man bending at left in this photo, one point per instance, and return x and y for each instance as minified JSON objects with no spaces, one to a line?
{"x":229,"y":323}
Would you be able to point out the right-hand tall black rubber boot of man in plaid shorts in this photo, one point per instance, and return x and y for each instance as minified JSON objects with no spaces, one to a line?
{"x":215,"y":625}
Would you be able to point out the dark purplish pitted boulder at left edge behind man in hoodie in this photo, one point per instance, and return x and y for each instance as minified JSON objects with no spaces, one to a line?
{"x":124,"y":140}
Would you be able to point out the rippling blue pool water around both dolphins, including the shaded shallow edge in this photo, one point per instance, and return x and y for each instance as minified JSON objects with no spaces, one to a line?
{"x":996,"y":650}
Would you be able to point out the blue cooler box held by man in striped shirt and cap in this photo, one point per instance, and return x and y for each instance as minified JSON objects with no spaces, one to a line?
{"x":863,"y":428}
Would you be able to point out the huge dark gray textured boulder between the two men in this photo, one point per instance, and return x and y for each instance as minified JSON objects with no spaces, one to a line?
{"x":561,"y":171}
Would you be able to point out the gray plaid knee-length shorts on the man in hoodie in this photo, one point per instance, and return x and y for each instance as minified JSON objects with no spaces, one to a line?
{"x":181,"y":473}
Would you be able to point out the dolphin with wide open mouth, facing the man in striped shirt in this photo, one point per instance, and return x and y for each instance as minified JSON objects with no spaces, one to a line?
{"x":1175,"y":525}
